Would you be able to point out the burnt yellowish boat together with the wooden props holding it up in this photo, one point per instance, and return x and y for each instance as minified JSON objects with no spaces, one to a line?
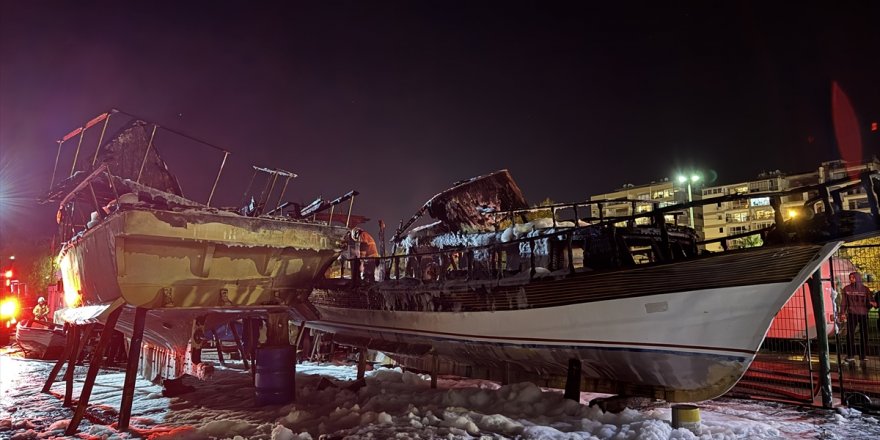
{"x":140,"y":257}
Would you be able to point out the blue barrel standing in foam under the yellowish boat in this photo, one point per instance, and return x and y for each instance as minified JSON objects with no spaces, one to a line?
{"x":275,"y":375}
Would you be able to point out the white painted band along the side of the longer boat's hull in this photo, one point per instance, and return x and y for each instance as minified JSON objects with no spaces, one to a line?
{"x":714,"y":321}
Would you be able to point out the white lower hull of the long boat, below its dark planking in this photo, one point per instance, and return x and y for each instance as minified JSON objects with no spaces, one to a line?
{"x":684,"y":345}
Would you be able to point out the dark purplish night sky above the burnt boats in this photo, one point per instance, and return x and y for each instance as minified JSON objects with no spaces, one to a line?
{"x":398,"y":100}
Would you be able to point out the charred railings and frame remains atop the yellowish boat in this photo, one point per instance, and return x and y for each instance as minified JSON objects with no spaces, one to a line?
{"x":99,"y":185}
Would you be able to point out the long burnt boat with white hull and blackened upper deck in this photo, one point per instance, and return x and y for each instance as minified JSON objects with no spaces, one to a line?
{"x":631,"y":301}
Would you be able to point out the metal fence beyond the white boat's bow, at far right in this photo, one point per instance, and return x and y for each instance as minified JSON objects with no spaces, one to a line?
{"x":787,"y":366}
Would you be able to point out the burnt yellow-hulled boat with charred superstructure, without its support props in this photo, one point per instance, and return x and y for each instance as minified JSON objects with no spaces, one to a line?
{"x":133,"y":241}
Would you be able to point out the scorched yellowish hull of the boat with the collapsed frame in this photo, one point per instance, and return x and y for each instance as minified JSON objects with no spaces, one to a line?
{"x":189,"y":264}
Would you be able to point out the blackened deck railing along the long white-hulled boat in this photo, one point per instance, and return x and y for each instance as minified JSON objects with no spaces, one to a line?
{"x":570,"y":238}
